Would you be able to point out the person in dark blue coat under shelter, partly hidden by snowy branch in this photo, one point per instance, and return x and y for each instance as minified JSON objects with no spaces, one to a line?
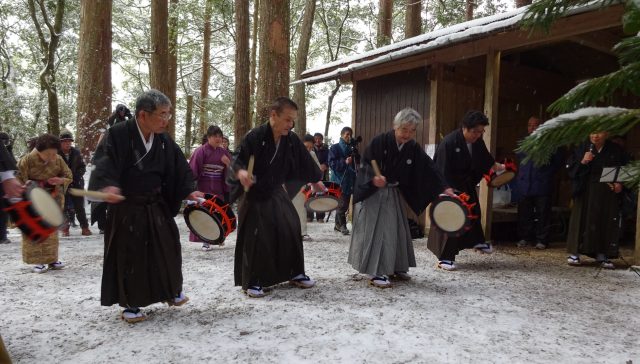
{"x":534,"y":187}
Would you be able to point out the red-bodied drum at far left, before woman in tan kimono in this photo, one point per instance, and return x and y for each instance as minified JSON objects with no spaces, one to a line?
{"x":37,"y":215}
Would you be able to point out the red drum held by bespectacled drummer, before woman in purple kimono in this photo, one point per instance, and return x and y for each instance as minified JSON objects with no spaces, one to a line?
{"x":211,"y":219}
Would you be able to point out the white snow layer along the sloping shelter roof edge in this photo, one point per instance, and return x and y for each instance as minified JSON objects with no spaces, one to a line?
{"x":422,"y":43}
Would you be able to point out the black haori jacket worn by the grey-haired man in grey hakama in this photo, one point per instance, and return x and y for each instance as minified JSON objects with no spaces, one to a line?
{"x":418,"y":179}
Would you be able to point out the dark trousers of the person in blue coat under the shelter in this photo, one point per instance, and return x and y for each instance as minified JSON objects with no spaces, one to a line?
{"x":534,"y":217}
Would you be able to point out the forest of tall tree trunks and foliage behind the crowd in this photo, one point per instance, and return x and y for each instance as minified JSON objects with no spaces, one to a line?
{"x":65,"y":64}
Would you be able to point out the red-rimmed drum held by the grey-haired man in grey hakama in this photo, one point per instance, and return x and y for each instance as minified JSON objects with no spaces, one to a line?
{"x":452,"y":215}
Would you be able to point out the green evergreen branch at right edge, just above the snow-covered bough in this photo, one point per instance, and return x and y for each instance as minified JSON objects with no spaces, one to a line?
{"x":599,"y":89}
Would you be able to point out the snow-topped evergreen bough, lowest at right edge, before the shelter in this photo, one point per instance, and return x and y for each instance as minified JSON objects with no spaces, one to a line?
{"x":574,"y":128}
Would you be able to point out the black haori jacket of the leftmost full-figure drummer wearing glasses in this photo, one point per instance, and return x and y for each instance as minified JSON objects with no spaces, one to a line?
{"x":116,"y":155}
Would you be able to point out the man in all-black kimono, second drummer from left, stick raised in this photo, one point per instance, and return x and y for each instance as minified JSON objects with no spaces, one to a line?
{"x":269,"y":243}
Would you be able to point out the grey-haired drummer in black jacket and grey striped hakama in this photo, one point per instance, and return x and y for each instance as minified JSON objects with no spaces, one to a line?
{"x":381,"y":243}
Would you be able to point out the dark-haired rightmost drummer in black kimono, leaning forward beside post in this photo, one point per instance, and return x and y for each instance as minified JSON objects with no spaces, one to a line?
{"x":463,"y":159}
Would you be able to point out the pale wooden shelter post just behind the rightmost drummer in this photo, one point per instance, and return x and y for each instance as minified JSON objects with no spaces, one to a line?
{"x":491,"y":85}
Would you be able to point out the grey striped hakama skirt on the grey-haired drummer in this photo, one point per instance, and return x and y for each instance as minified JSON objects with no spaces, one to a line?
{"x":381,"y":241}
